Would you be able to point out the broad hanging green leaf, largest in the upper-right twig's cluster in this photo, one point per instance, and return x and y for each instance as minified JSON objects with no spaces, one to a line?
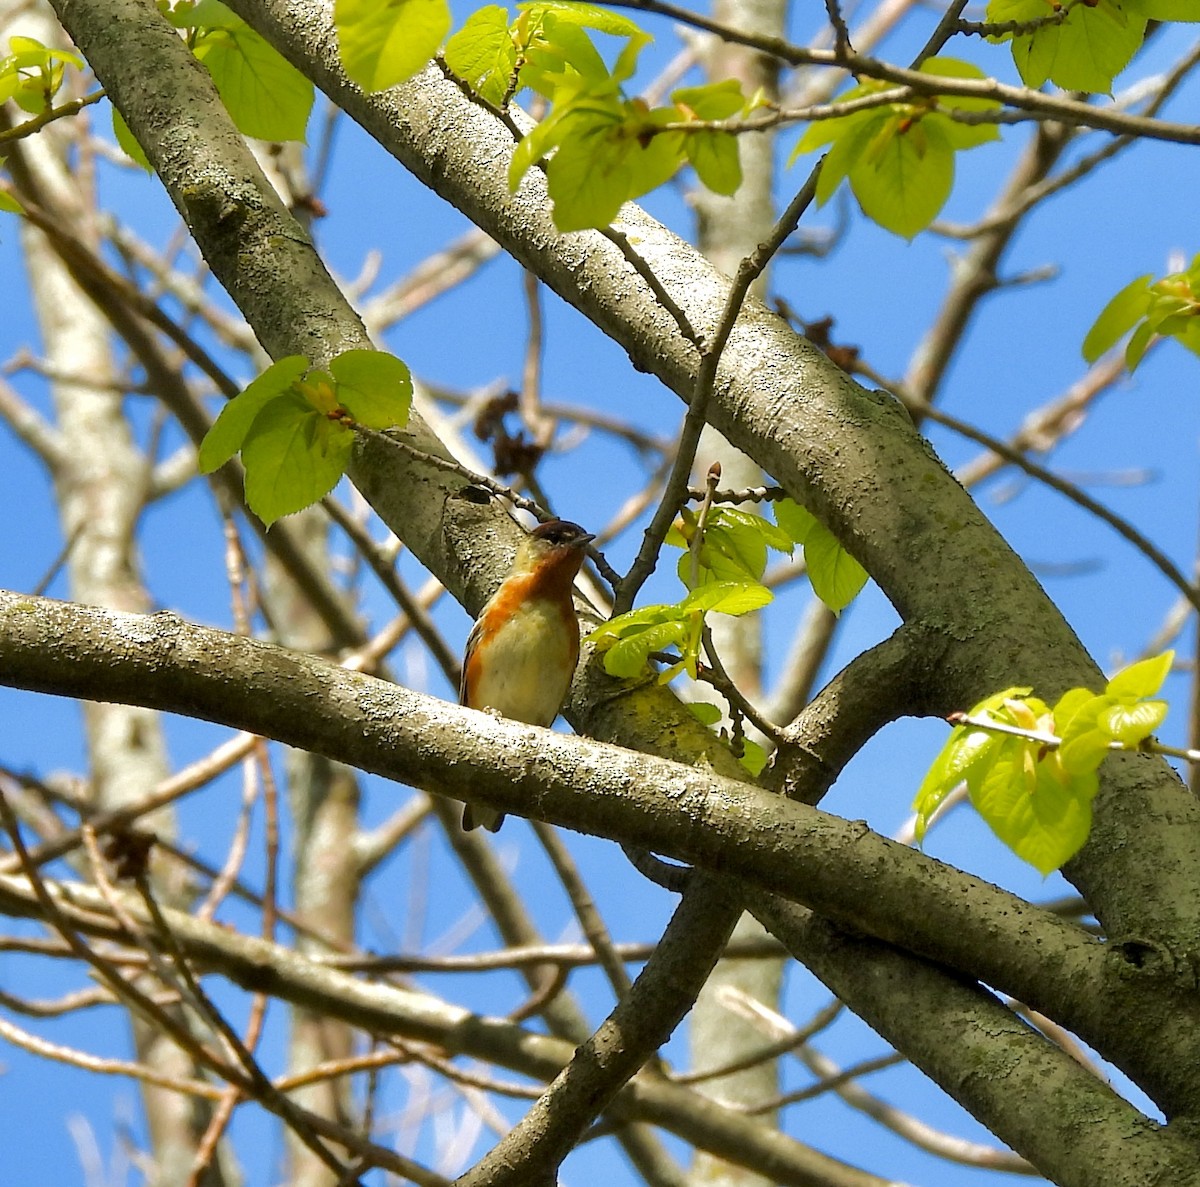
{"x":905,"y":176}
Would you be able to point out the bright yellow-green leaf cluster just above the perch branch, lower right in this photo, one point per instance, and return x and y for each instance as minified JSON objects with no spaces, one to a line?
{"x":1033,"y":772}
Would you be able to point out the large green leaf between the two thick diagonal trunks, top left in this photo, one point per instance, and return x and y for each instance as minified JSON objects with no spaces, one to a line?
{"x":265,"y":94}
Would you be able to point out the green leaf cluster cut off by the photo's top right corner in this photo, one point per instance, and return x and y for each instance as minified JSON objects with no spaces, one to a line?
{"x":1082,"y":45}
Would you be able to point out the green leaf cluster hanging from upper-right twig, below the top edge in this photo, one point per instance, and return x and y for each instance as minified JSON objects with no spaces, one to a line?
{"x":899,"y":158}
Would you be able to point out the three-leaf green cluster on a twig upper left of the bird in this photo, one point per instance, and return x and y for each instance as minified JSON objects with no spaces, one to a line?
{"x":295,"y":425}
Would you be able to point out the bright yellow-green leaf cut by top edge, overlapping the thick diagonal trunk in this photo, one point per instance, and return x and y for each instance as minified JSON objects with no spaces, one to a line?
{"x":383,"y":43}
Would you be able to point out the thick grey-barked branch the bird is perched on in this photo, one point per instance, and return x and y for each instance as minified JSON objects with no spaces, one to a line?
{"x":839,"y":868}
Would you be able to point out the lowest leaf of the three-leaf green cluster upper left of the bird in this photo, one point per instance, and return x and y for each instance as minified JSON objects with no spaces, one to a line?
{"x":293,"y":457}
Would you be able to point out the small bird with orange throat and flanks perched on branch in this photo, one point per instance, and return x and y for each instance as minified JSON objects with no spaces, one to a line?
{"x":523,"y":651}
